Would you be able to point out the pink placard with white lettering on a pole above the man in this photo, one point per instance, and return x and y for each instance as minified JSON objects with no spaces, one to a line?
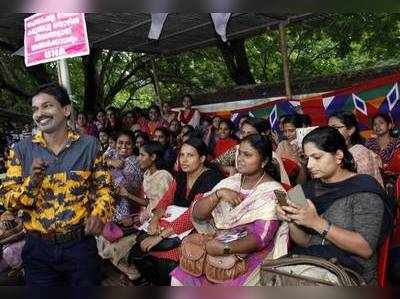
{"x":54,"y":36}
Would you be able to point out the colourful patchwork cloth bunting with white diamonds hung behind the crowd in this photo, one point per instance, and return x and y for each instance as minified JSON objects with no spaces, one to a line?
{"x":364,"y":99}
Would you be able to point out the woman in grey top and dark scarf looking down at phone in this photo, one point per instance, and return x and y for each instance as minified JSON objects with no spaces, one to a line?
{"x":347,"y":215}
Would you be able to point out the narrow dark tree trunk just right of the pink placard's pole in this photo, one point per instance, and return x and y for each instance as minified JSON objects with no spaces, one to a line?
{"x":91,"y":101}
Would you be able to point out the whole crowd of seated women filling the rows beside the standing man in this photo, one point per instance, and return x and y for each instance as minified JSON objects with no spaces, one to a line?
{"x":178,"y":174}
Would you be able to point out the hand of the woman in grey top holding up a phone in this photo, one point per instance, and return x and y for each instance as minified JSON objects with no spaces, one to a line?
{"x":305,"y":216}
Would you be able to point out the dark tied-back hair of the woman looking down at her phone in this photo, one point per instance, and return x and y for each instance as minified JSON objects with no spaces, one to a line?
{"x":330,"y":140}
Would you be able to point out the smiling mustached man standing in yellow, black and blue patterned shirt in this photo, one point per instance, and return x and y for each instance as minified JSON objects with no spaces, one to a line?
{"x":49,"y":179}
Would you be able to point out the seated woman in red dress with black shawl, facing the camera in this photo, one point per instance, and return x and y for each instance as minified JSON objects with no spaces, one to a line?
{"x":172,"y":215}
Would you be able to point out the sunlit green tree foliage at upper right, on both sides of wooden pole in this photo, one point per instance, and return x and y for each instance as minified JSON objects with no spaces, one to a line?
{"x":343,"y":43}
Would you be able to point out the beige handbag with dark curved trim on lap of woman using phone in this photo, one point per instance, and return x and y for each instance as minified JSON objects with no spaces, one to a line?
{"x":303,"y":270}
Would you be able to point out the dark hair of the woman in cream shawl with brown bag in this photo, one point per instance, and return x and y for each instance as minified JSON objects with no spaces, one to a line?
{"x":264,"y":147}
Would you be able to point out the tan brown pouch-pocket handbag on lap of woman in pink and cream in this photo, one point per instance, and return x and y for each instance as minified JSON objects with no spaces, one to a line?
{"x":217,"y":269}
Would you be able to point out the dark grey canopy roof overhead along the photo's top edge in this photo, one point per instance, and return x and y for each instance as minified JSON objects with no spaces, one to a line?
{"x":180,"y":31}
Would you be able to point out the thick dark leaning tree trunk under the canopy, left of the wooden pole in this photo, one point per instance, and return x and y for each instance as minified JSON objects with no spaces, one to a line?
{"x":237,"y":63}
